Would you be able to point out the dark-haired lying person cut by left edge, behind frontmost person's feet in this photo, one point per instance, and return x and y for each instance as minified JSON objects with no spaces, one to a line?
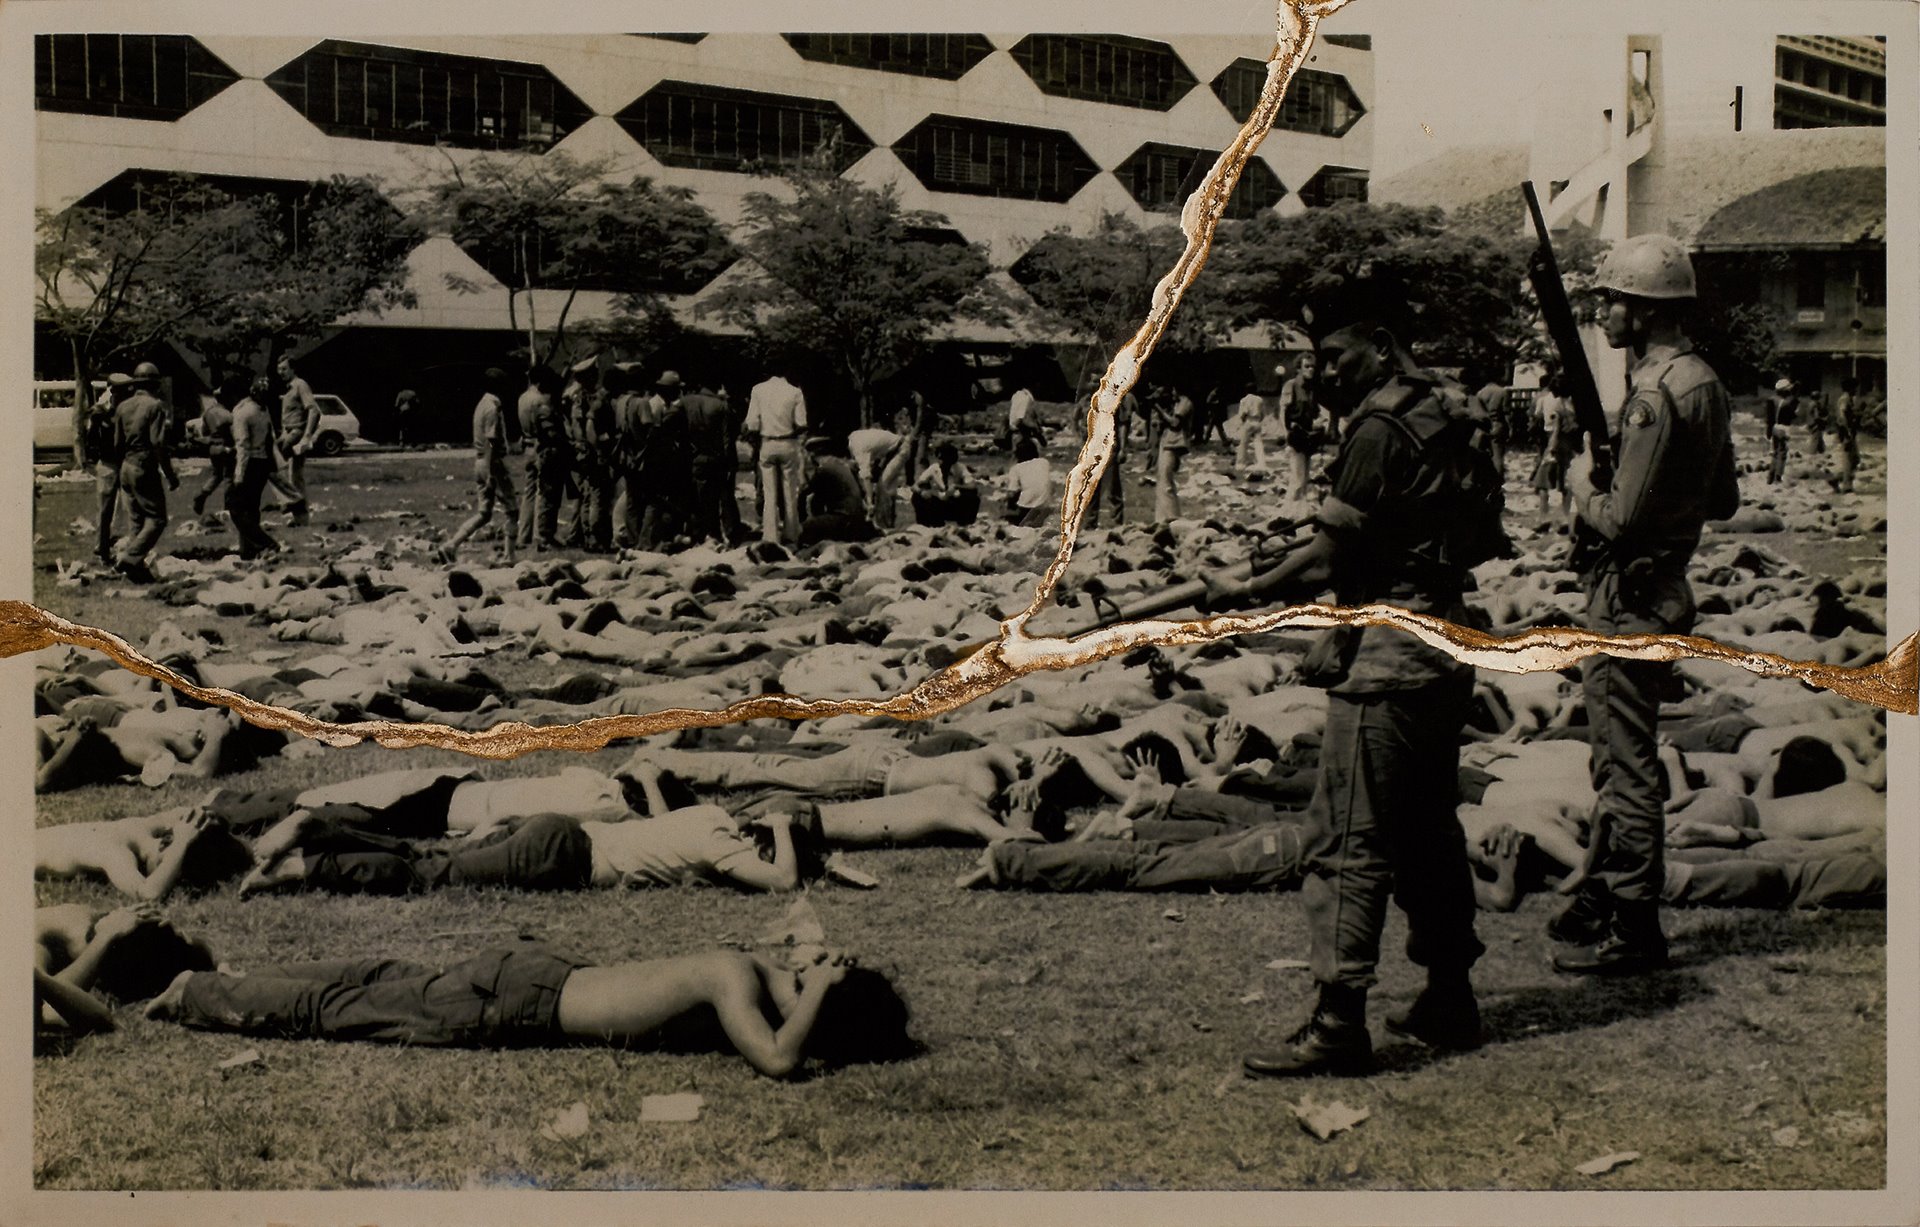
{"x":122,"y":955}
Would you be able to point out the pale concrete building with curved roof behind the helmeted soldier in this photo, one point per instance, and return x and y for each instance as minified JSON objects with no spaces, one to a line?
{"x":1714,"y":143}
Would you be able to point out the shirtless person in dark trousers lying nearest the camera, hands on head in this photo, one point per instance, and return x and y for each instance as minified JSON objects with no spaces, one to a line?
{"x":523,"y":998}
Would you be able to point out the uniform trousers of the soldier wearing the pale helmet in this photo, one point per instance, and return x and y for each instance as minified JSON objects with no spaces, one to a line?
{"x":1623,"y":708}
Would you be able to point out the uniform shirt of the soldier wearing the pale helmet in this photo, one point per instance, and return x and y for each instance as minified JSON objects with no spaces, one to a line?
{"x":1675,"y":460}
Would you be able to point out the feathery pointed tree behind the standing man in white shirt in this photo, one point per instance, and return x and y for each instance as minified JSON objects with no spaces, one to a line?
{"x":844,"y":272}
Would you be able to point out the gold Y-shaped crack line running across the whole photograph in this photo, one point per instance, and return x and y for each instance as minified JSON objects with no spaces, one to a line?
{"x":1892,"y":685}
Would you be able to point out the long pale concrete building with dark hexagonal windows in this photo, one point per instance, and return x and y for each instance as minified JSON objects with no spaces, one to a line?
{"x":1005,"y":135}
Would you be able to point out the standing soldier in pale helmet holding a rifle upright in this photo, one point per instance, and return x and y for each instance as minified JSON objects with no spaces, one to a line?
{"x":1673,"y":473}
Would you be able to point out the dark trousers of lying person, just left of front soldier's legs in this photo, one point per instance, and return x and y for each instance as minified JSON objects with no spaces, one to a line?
{"x":1255,"y":859}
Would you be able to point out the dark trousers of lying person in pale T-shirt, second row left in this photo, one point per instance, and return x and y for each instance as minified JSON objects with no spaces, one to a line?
{"x":542,"y":854}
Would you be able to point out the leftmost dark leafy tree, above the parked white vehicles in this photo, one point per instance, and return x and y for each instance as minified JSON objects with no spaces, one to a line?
{"x":214,"y":272}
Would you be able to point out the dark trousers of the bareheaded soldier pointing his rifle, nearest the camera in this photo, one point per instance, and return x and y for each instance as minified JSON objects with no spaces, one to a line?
{"x":1381,"y":827}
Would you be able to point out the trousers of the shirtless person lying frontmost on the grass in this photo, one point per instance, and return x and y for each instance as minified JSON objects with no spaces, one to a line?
{"x":506,"y":998}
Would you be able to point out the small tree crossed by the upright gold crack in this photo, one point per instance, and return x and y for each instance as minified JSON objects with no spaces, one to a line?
{"x":1099,"y":287}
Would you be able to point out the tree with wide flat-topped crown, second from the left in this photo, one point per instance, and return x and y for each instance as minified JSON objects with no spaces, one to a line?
{"x":564,"y":224}
